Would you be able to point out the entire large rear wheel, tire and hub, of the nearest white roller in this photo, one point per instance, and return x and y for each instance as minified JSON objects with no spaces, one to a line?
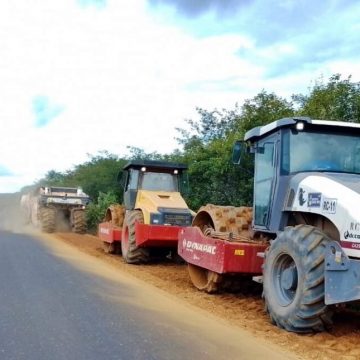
{"x":294,"y":280}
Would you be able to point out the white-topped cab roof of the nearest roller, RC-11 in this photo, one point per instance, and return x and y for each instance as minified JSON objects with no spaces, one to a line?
{"x":261,"y":131}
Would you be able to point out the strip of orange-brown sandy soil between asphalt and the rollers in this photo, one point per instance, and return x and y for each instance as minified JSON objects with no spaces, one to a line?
{"x":242,"y":310}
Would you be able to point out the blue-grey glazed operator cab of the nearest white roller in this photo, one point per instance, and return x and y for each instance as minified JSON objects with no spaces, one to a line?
{"x":296,"y":147}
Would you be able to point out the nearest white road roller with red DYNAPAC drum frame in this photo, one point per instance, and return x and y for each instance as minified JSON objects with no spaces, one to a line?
{"x":301,"y":238}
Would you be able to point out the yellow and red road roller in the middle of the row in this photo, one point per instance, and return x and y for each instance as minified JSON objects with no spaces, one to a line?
{"x":148,"y":223}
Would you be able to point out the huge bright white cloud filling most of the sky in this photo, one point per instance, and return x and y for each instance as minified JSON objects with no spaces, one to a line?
{"x":122,"y":77}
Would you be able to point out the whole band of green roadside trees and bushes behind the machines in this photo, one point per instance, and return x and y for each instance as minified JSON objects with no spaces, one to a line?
{"x":205,"y":145}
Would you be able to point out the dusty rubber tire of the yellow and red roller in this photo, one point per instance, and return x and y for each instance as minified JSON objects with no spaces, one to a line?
{"x":131,"y":253}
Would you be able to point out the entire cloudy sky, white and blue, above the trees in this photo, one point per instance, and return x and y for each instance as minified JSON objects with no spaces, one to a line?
{"x":80,"y":76}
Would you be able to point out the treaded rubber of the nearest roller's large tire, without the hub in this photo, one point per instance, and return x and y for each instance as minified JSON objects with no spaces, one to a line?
{"x":307,"y":312}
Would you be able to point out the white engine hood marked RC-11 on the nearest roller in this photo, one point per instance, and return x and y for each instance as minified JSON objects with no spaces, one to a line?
{"x":333,"y":195}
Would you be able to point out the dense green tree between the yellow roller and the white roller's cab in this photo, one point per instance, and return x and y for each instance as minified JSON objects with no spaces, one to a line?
{"x":208,"y":144}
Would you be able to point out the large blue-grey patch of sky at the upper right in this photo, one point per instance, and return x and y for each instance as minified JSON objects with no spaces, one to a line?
{"x":306,"y":33}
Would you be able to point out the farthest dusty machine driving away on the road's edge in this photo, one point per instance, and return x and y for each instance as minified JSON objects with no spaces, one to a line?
{"x":55,"y":208}
